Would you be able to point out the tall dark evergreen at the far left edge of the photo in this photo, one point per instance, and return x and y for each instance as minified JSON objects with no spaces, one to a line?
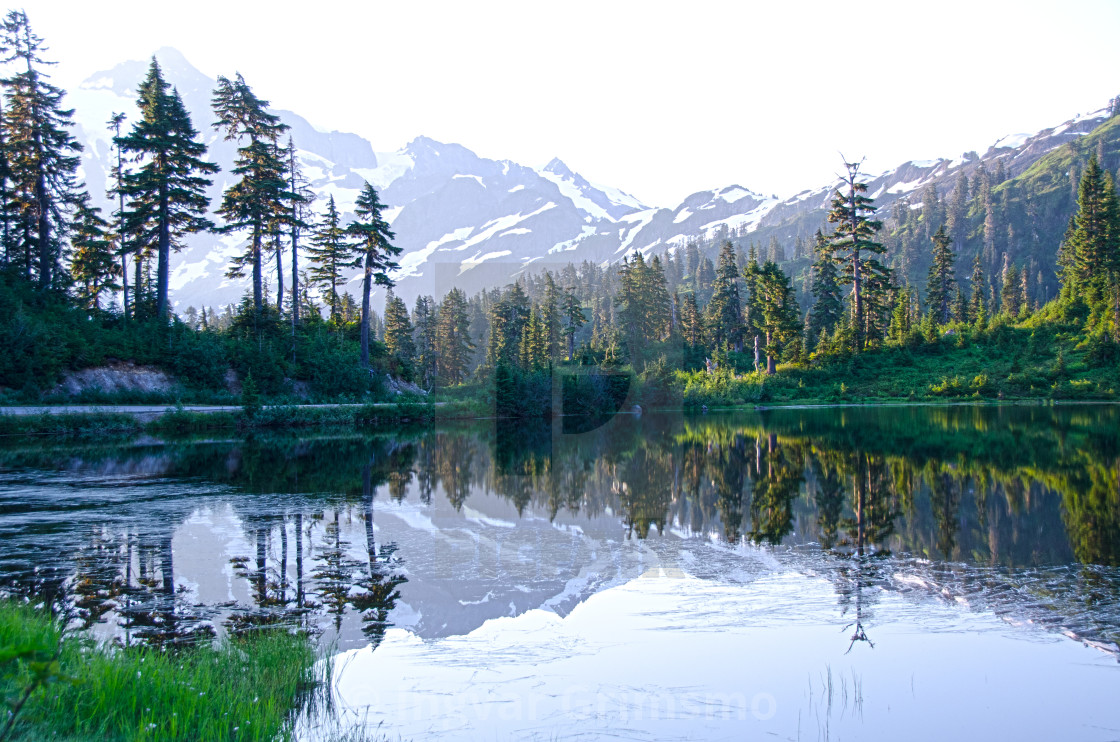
{"x":42,"y":153}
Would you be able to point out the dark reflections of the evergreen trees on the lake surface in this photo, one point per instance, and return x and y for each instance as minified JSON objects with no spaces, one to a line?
{"x":1048,"y":496}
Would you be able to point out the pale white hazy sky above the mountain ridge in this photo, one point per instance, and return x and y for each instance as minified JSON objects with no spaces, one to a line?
{"x":659,"y":99}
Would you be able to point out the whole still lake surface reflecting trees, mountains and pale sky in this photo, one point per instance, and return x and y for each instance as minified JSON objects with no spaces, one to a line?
{"x":888,"y":573}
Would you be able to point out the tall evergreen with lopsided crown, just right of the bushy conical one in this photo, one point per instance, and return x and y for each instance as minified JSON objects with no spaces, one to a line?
{"x":260,"y":199}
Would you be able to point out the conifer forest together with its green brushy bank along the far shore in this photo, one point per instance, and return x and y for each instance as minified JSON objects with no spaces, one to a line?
{"x":1003,"y":287}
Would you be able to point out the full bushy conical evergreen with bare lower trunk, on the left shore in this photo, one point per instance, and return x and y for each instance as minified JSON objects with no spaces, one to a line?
{"x":167,"y":193}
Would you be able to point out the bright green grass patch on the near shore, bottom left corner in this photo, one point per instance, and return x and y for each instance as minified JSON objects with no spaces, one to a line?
{"x":244,"y":690}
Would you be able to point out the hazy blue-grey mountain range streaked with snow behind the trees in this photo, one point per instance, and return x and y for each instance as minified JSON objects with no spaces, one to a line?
{"x":472,"y":222}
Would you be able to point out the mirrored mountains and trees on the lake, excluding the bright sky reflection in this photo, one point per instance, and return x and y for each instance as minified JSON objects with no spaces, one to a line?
{"x":169,"y":540}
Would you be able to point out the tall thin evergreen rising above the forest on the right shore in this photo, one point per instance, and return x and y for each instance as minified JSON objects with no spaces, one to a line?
{"x":854,"y":242}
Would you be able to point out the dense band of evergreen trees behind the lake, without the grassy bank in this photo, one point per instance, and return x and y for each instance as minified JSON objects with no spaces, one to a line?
{"x":729,"y":305}
